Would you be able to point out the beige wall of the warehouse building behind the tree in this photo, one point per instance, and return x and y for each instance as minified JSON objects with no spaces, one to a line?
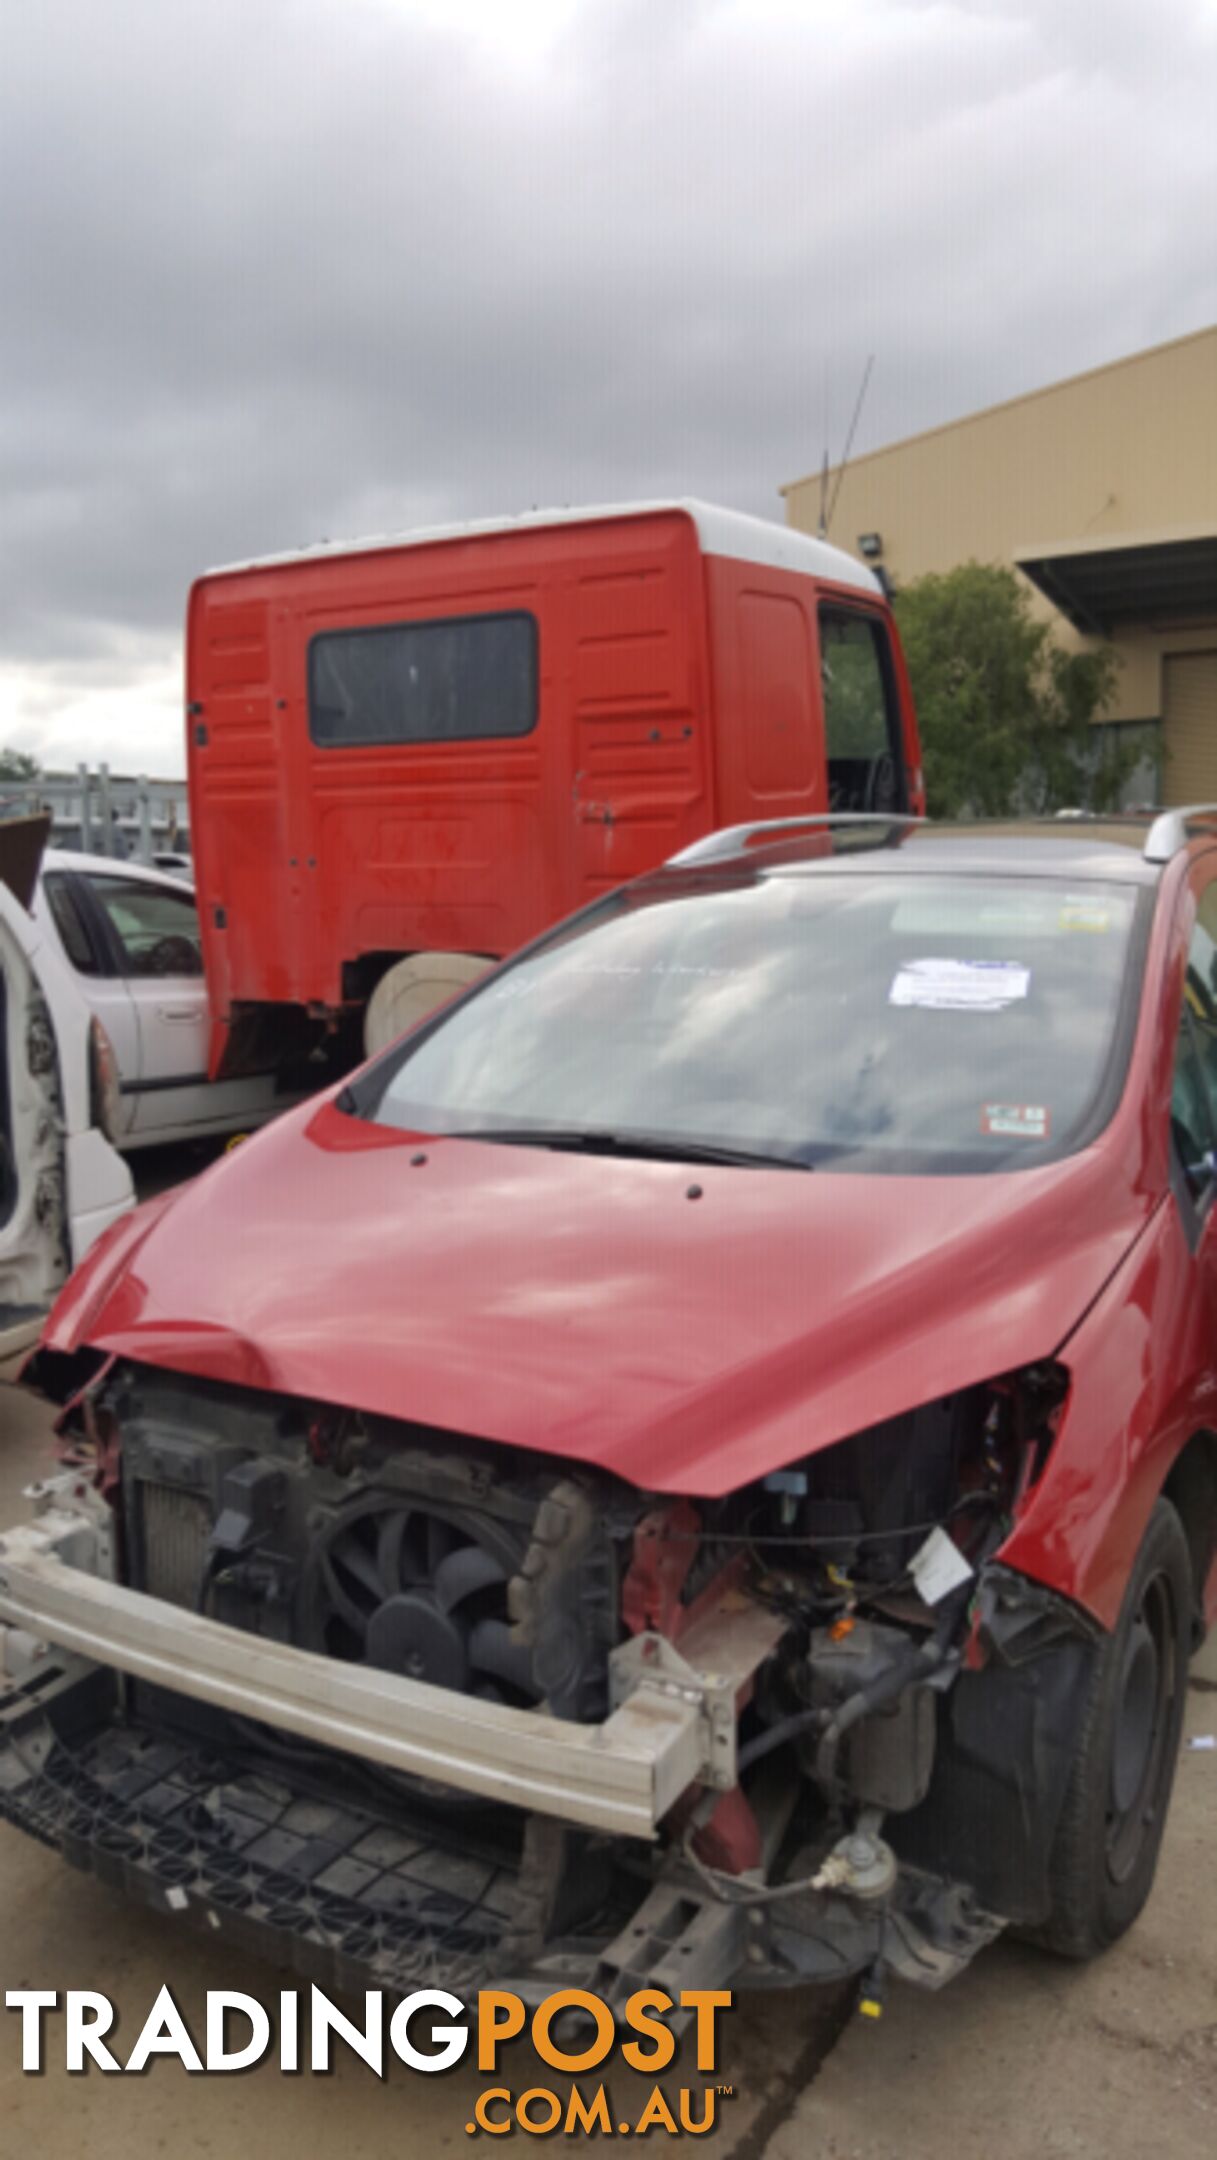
{"x":1125,"y":450}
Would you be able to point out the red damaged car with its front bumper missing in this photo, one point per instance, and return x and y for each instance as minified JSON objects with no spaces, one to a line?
{"x":697,"y":1466}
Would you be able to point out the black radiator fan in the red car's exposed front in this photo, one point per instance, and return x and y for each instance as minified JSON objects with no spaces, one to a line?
{"x":423,"y":1593}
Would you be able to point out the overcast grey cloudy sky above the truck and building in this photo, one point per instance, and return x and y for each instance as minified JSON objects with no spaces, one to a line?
{"x":291,"y":269}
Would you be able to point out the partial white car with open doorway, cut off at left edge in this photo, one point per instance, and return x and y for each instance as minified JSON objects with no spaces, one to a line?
{"x":62,"y":1180}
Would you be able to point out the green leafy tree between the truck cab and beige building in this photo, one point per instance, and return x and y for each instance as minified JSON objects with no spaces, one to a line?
{"x":1006,"y":714}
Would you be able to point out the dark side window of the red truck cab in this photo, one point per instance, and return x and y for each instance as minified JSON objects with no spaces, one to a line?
{"x":861,"y":720}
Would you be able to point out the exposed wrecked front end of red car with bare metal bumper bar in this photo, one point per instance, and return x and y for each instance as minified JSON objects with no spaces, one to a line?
{"x":399,"y":1707}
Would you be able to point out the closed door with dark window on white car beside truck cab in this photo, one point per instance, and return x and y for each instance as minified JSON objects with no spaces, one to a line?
{"x":152,"y":930}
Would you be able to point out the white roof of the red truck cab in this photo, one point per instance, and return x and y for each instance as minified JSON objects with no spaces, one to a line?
{"x":721,"y":532}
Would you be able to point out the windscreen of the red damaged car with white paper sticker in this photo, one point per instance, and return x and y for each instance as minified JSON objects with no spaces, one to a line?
{"x":855,"y":1021}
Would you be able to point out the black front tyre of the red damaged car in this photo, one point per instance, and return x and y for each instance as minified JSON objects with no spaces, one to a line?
{"x":1116,"y":1803}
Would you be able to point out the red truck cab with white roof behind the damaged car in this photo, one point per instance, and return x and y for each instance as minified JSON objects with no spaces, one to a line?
{"x":444,"y":744}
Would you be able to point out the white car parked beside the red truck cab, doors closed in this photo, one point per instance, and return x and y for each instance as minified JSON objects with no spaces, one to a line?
{"x":133,"y":941}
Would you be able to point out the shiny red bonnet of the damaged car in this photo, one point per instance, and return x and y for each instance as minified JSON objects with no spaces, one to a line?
{"x":587,"y":1308}
